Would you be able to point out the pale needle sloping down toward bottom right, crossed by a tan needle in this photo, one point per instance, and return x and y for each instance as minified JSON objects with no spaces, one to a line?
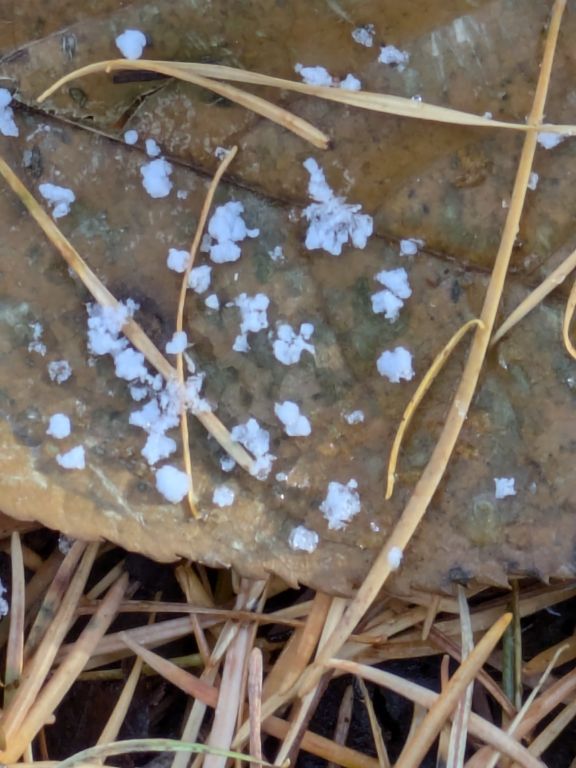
{"x":424,"y":697}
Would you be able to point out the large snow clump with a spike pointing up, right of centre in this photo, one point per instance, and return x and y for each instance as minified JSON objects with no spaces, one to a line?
{"x":332,"y":221}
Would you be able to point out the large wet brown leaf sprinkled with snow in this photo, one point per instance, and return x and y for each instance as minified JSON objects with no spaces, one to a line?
{"x":442,"y":184}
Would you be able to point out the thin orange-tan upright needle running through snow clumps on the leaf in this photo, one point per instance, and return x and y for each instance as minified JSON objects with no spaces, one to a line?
{"x":180,"y":316}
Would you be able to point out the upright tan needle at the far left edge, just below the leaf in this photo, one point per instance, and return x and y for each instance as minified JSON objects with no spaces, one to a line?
{"x":15,"y":648}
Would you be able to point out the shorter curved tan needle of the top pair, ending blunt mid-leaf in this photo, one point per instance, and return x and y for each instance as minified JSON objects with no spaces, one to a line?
{"x":251,"y":102}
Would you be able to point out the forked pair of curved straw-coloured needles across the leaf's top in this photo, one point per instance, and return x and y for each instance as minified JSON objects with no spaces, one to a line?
{"x":206,"y":74}
